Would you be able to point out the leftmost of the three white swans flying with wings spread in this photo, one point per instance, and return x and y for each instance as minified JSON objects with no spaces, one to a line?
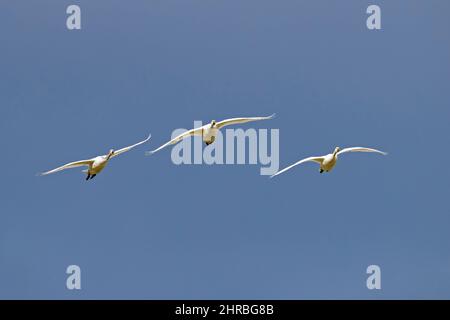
{"x":97,"y":164}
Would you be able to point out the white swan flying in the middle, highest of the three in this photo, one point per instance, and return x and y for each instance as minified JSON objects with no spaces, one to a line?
{"x":209,"y":131}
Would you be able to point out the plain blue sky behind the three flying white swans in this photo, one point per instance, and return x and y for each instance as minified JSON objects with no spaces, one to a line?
{"x":147,"y":229}
